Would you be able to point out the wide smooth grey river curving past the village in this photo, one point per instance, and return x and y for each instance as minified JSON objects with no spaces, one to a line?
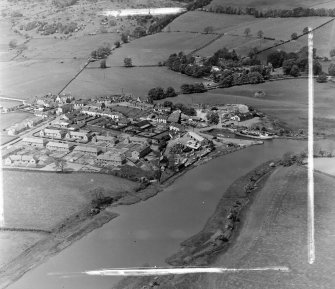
{"x":146,"y":233}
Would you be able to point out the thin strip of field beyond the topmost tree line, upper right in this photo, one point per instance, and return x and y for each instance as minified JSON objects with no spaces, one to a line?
{"x":273,"y":4}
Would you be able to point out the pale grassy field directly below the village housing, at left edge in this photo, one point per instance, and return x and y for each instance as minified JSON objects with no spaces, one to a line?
{"x":42,"y":200}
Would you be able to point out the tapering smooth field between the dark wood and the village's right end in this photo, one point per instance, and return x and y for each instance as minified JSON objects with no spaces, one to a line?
{"x":285,"y":100}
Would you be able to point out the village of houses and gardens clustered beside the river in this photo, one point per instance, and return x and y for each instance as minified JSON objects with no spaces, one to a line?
{"x":123,"y":135}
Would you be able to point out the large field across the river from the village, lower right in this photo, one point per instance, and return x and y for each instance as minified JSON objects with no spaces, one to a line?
{"x":274,"y":233}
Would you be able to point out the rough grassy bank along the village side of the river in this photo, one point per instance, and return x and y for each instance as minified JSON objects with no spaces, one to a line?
{"x":77,"y":226}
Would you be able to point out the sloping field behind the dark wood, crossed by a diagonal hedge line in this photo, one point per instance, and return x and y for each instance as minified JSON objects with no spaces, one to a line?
{"x":278,"y":28}
